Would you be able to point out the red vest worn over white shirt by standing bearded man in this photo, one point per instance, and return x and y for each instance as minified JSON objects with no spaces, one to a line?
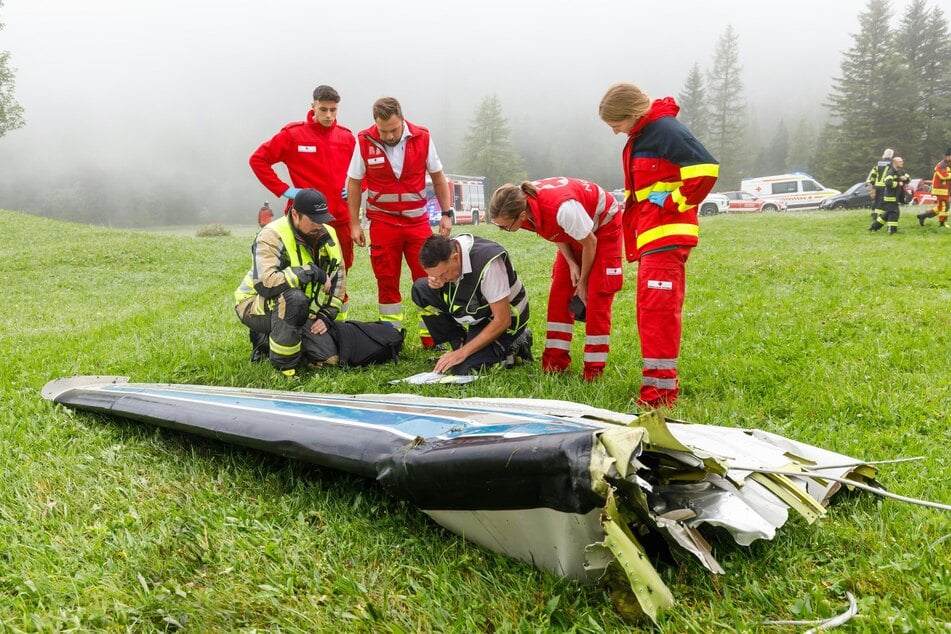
{"x":386,"y":194}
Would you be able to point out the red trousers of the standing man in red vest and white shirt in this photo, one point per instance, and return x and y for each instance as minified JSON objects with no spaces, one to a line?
{"x":392,"y":240}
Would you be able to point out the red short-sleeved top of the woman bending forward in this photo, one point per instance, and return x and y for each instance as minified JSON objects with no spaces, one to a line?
{"x":552,"y":192}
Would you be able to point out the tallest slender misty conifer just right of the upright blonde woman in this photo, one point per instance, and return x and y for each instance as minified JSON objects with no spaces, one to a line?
{"x":727,"y":107}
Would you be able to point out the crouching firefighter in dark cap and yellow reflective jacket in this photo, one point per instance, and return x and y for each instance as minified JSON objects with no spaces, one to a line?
{"x":297,"y":280}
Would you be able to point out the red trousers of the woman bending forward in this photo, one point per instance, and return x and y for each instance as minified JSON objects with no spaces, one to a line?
{"x":604,"y":282}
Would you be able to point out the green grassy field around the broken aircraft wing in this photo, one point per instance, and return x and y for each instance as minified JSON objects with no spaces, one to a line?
{"x":801,"y":324}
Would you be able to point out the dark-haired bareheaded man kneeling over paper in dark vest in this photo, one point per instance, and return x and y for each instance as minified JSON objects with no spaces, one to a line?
{"x":474,"y":301}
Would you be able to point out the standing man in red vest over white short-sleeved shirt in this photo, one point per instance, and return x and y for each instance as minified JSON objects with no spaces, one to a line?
{"x":393,"y":157}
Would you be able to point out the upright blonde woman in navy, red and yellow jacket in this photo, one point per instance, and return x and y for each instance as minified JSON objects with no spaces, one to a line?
{"x":667,"y":173}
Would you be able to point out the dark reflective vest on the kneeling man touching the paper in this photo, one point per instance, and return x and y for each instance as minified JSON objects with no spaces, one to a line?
{"x":464,"y":298}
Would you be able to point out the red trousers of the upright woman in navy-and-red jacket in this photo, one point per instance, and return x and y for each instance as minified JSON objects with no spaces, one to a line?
{"x":661,"y":286}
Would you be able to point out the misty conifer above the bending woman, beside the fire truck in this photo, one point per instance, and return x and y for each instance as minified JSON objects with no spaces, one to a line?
{"x":487,"y":148}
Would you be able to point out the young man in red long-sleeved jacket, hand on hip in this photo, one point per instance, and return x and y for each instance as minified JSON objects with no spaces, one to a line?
{"x":316,"y":153}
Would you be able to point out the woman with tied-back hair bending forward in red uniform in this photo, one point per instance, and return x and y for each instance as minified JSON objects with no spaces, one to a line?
{"x":583,"y":221}
